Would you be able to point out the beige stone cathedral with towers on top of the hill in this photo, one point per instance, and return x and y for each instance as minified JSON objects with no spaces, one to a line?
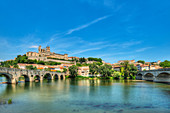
{"x":44,"y":54}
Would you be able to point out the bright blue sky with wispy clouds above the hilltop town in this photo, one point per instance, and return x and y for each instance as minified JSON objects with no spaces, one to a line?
{"x":109,"y":29}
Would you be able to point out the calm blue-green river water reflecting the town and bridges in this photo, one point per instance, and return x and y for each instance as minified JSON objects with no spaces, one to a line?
{"x":86,"y":96}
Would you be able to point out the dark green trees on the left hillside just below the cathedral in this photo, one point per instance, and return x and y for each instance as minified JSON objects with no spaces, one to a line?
{"x":24,"y":59}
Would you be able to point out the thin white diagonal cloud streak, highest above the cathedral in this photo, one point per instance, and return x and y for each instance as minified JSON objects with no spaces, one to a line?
{"x":86,"y":25}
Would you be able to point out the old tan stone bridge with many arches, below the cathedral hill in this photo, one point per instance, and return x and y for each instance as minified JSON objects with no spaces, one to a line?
{"x":13,"y":75}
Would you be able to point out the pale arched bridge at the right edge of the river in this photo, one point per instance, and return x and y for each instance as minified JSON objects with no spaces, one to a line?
{"x":160,"y":75}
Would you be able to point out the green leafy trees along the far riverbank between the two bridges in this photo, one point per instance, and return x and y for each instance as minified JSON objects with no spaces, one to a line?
{"x":127,"y":71}
